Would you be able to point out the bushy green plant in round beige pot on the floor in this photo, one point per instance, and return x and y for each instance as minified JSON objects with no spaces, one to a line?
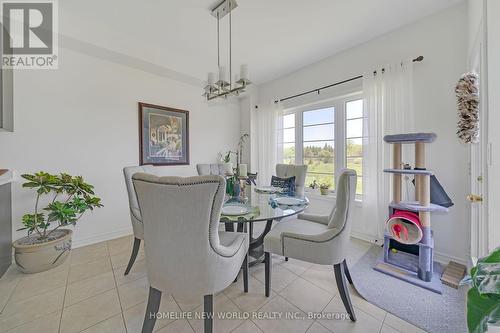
{"x":71,"y":197}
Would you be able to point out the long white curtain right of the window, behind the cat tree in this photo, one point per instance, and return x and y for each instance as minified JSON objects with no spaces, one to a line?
{"x":388,"y":108}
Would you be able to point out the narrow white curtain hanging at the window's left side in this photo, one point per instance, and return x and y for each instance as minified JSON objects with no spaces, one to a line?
{"x":270,"y":144}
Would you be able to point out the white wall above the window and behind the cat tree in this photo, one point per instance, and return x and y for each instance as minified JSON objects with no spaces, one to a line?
{"x":442,"y":40}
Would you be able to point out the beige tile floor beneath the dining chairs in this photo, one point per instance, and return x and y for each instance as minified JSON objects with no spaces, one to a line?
{"x":89,"y":293}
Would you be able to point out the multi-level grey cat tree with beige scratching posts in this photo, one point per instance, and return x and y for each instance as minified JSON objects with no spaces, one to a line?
{"x":412,"y":262}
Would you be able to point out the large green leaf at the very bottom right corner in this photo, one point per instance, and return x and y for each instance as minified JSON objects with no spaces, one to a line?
{"x":481,"y":309}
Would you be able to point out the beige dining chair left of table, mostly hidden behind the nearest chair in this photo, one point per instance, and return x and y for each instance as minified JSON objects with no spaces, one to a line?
{"x":135,"y":213}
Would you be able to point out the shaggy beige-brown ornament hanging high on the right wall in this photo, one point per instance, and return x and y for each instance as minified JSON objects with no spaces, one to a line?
{"x":467,"y":91}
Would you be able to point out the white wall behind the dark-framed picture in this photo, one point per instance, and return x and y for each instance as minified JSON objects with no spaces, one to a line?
{"x":83,"y":119}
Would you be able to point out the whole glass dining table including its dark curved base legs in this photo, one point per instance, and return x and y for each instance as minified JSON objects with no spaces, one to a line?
{"x":259,"y":207}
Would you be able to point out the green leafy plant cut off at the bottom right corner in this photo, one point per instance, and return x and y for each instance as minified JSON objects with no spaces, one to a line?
{"x":483,"y":298}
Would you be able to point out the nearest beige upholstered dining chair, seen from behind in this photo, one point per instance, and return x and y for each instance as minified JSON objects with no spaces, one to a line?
{"x":186,"y":255}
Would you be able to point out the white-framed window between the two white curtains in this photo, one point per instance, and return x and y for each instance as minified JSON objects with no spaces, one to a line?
{"x":327,"y":137}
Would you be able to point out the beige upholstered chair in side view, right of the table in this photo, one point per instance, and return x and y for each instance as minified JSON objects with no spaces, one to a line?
{"x":318,"y":239}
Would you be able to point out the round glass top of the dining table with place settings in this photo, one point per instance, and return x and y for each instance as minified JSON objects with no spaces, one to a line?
{"x":262,"y":206}
